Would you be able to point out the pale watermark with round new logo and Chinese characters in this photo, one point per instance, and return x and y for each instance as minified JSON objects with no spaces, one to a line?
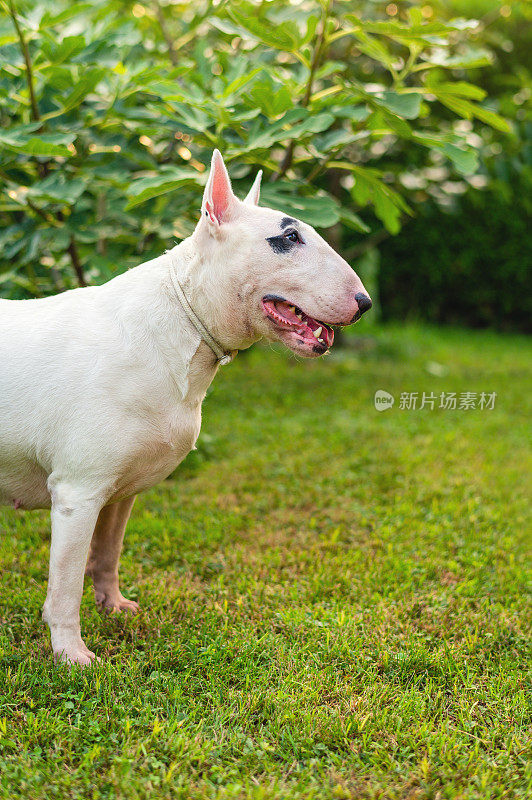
{"x":448,"y":401}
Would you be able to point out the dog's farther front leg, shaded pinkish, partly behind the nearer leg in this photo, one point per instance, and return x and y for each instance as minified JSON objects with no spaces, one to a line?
{"x":105,"y":554}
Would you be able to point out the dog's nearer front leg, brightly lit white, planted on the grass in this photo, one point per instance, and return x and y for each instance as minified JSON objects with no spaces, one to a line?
{"x":74,"y":514}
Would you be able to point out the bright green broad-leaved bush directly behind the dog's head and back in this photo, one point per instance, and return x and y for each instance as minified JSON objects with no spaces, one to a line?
{"x":109,"y":112}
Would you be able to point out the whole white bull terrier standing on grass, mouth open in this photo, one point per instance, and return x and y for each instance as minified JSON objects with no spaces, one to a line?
{"x":101,"y":388}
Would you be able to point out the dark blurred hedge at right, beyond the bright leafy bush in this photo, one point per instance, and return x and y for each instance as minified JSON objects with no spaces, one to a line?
{"x":471,"y":263}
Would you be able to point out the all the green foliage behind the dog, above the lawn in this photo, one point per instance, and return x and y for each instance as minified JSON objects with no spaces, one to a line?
{"x":402,"y":131}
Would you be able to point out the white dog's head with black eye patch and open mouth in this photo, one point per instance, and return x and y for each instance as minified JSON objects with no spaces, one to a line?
{"x":275,"y":276}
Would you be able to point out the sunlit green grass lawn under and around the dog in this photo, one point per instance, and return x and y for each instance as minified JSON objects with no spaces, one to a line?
{"x":334,"y":599}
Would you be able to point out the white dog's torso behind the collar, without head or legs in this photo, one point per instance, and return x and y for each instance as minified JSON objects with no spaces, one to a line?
{"x":108,"y":379}
